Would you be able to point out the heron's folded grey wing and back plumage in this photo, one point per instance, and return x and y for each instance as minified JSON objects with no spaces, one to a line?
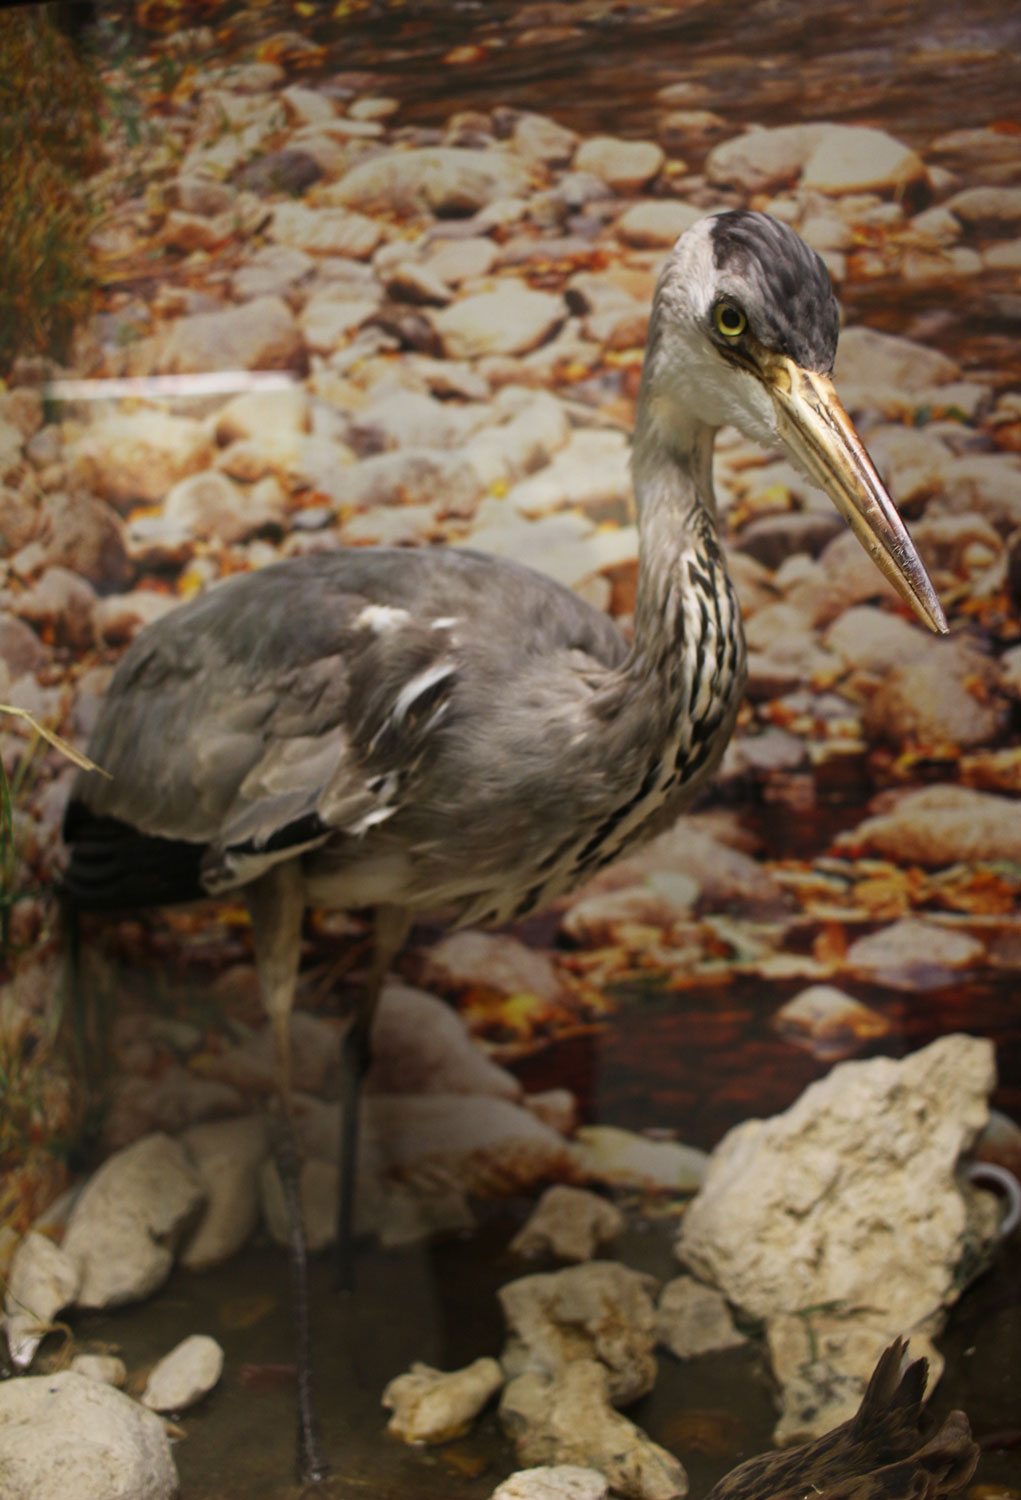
{"x":287,"y":706}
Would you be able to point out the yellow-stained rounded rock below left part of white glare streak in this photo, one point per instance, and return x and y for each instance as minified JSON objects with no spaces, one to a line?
{"x":137,"y":457}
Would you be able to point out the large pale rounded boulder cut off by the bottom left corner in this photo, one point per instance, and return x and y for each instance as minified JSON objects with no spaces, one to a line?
{"x":68,"y":1436}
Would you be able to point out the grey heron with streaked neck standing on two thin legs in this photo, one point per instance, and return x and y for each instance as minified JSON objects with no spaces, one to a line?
{"x":434,"y":730}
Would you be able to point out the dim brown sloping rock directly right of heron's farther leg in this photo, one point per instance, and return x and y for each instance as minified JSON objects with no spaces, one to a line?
{"x":422,"y":1046}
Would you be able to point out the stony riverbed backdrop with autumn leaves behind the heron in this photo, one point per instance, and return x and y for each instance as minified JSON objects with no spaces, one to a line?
{"x":334,"y":314}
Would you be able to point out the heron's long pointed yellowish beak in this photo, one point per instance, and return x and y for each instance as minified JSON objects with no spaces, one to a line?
{"x":822,"y":440}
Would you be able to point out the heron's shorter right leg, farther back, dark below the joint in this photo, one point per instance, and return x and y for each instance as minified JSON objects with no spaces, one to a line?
{"x":391,"y":929}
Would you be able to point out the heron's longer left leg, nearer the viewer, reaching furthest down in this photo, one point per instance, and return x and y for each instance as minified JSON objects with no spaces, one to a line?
{"x":277,"y":907}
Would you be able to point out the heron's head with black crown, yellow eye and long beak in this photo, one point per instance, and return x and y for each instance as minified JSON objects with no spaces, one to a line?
{"x":744,"y":331}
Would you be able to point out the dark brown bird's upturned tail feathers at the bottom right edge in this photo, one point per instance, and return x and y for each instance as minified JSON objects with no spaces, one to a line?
{"x":881,"y":1454}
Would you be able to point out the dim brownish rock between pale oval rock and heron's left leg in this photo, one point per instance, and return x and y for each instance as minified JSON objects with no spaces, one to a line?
{"x":227,"y":1156}
